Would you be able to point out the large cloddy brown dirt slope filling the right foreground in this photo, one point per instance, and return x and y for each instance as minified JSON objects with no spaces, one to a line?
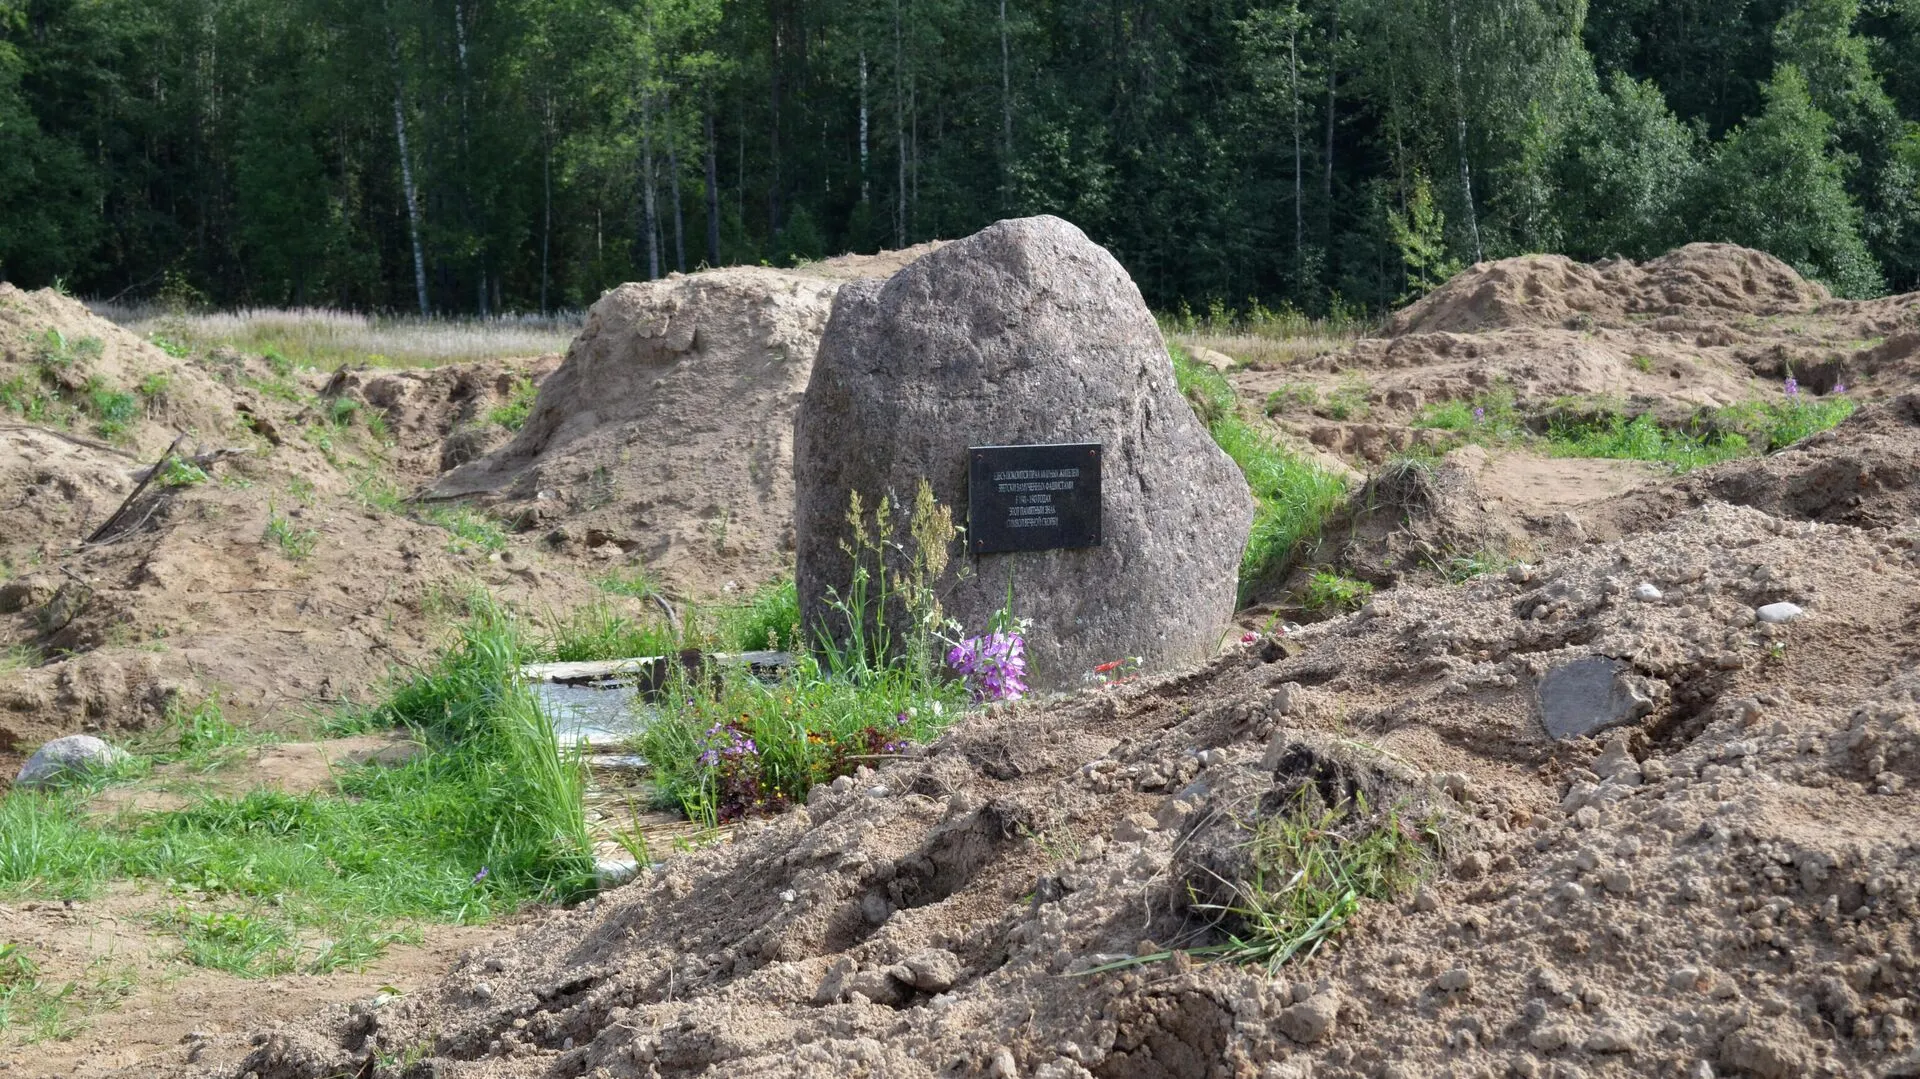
{"x":1729,"y":886}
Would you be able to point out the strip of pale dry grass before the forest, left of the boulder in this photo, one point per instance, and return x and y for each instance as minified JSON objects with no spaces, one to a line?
{"x":325,"y":339}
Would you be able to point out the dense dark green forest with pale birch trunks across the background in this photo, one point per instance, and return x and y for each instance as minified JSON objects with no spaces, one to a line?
{"x":483,"y":156}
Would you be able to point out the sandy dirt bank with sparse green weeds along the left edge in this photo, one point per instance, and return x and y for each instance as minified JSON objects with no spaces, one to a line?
{"x":281,"y":583}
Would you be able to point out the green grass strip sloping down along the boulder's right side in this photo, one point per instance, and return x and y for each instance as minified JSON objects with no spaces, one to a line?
{"x":1293,"y":498}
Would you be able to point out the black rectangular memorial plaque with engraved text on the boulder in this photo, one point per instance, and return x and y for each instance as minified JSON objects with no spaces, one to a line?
{"x":1034,"y":498}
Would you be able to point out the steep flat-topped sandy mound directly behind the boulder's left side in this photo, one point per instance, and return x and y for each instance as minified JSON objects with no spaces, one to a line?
{"x":667,"y":435}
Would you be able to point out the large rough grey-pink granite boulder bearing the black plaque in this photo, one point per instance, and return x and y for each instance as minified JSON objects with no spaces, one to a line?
{"x":1026,"y":333}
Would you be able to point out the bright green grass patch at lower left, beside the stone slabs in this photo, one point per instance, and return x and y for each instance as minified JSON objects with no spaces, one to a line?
{"x":489,"y":819}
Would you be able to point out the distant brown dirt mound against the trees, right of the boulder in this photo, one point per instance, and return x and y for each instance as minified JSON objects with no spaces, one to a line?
{"x":1554,"y":291}
